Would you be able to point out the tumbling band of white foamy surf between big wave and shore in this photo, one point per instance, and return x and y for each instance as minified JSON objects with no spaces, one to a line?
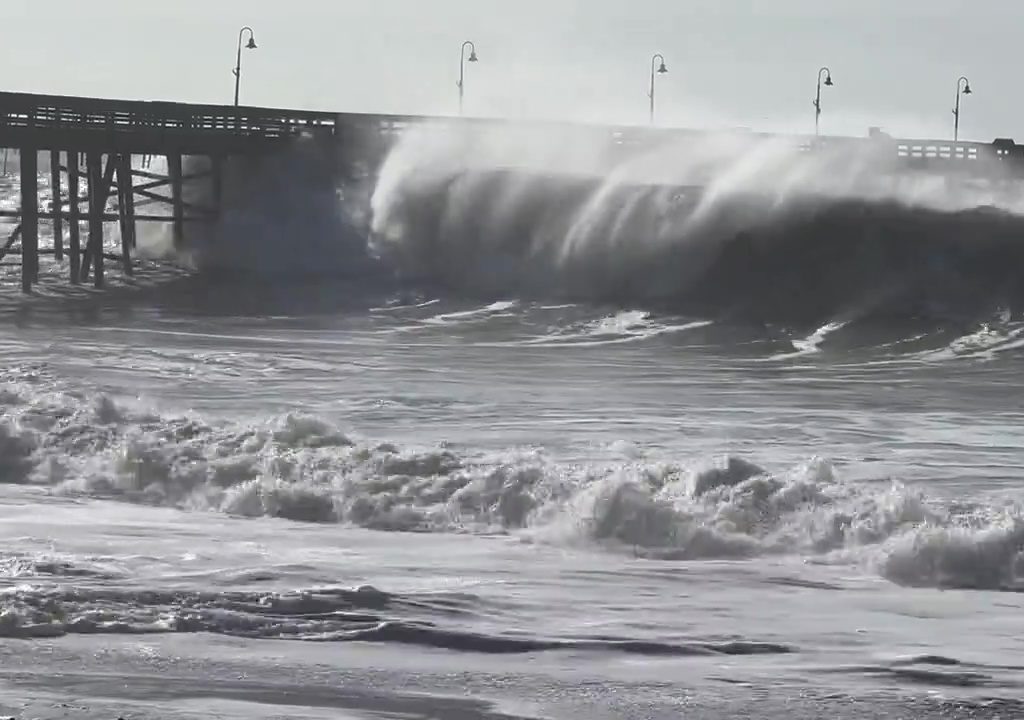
{"x":305,"y":469}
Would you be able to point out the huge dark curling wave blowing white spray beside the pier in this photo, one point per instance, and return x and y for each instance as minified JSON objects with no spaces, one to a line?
{"x":762,"y":235}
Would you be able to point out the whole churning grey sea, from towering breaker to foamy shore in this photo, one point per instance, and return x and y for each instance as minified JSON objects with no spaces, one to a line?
{"x":520,"y":429}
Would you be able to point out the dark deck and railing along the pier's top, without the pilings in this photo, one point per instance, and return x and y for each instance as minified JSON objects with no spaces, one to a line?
{"x":50,"y":122}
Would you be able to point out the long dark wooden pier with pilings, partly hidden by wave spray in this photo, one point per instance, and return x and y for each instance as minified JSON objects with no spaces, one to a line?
{"x":100,"y":152}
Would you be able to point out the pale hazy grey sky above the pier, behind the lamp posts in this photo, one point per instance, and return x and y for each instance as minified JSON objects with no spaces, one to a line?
{"x":733,"y":63}
